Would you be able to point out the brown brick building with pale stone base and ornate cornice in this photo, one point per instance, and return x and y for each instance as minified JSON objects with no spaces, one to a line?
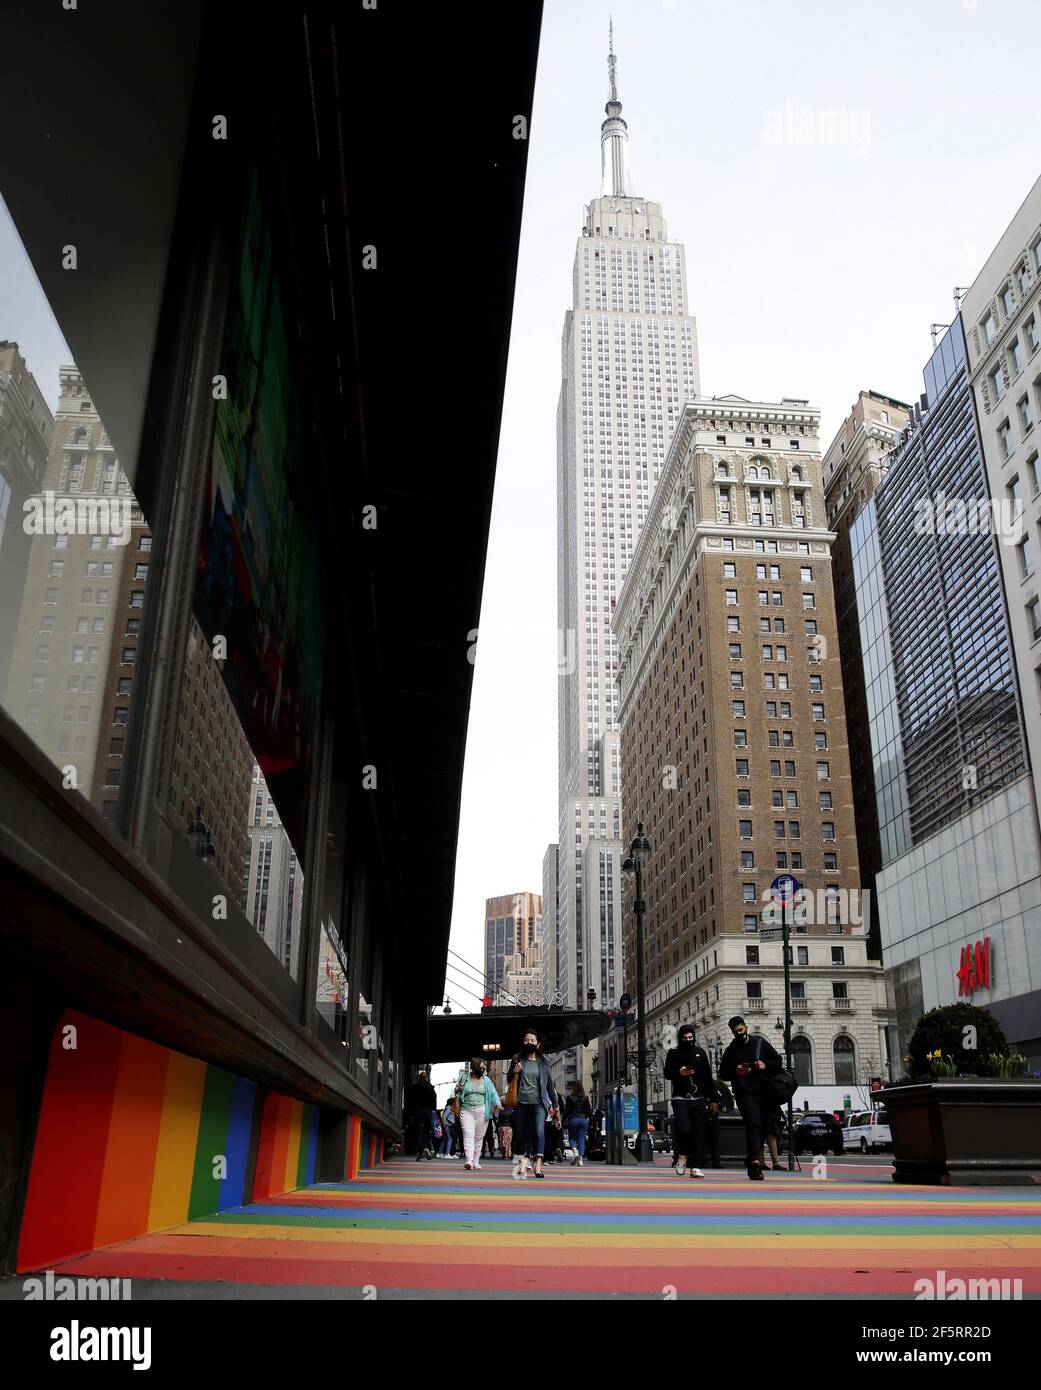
{"x":735,"y":743}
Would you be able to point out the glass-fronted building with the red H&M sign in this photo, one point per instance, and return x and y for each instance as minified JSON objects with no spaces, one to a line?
{"x":954,"y":799}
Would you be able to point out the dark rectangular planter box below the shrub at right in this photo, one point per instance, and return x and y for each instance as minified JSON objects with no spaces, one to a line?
{"x":967,"y":1132}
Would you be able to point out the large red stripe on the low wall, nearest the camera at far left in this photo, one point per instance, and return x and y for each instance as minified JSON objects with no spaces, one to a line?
{"x":72,"y":1139}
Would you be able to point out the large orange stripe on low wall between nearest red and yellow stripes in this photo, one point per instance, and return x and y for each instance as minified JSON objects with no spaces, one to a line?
{"x":130,"y":1160}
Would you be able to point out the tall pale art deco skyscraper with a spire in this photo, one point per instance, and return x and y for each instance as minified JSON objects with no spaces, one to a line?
{"x":630,"y":362}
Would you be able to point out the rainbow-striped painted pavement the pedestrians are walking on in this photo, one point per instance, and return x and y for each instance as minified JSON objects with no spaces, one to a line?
{"x":416,"y":1228}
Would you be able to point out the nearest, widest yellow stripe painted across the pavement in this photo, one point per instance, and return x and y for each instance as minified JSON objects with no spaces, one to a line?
{"x":972,"y":1241}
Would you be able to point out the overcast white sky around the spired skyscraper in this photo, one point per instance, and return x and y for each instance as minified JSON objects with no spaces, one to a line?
{"x":814,"y":272}
